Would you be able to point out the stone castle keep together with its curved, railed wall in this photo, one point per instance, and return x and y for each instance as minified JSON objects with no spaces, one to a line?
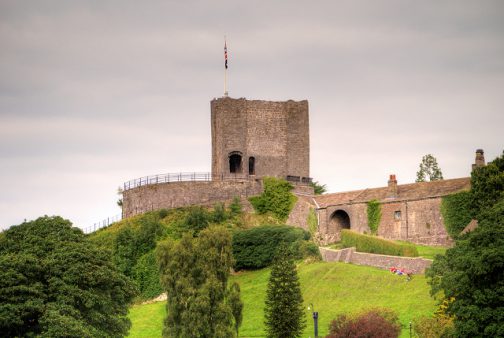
{"x":250,"y":139}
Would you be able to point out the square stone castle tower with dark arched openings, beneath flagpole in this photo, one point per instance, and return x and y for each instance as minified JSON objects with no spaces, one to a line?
{"x":260,"y":138}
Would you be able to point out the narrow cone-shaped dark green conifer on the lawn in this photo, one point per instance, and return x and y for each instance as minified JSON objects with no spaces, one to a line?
{"x":284,"y":312}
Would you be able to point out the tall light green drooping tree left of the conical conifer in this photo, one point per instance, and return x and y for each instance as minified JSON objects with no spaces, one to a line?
{"x":194,"y":272}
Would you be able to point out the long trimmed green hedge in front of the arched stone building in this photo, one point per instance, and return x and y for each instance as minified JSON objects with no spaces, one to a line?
{"x":372,"y":244}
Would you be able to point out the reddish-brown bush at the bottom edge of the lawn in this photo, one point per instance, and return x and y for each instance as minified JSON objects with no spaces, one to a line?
{"x":373,"y":323}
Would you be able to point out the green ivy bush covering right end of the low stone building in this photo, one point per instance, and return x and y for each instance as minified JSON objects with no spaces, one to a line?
{"x":456,"y":211}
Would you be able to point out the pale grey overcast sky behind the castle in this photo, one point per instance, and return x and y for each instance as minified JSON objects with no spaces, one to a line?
{"x":95,"y":93}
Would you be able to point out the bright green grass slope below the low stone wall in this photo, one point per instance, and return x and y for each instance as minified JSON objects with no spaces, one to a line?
{"x":333,"y":288}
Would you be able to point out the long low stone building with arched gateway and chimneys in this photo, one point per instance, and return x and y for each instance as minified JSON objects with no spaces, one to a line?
{"x":410,"y":212}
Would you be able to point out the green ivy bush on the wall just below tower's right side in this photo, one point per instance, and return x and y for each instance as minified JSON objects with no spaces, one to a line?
{"x":276,"y":198}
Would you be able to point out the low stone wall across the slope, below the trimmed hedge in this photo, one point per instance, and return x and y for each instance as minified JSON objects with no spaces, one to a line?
{"x":349,"y":255}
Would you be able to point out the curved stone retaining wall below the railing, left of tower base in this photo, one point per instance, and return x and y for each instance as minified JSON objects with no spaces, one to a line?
{"x":182,"y":194}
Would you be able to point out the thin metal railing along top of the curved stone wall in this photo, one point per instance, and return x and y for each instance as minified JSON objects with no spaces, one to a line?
{"x":182,"y":177}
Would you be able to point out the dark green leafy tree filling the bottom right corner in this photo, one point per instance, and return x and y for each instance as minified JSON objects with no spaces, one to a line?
{"x":472,"y":273}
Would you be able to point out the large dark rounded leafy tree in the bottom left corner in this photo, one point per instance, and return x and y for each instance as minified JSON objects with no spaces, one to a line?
{"x":56,"y":283}
